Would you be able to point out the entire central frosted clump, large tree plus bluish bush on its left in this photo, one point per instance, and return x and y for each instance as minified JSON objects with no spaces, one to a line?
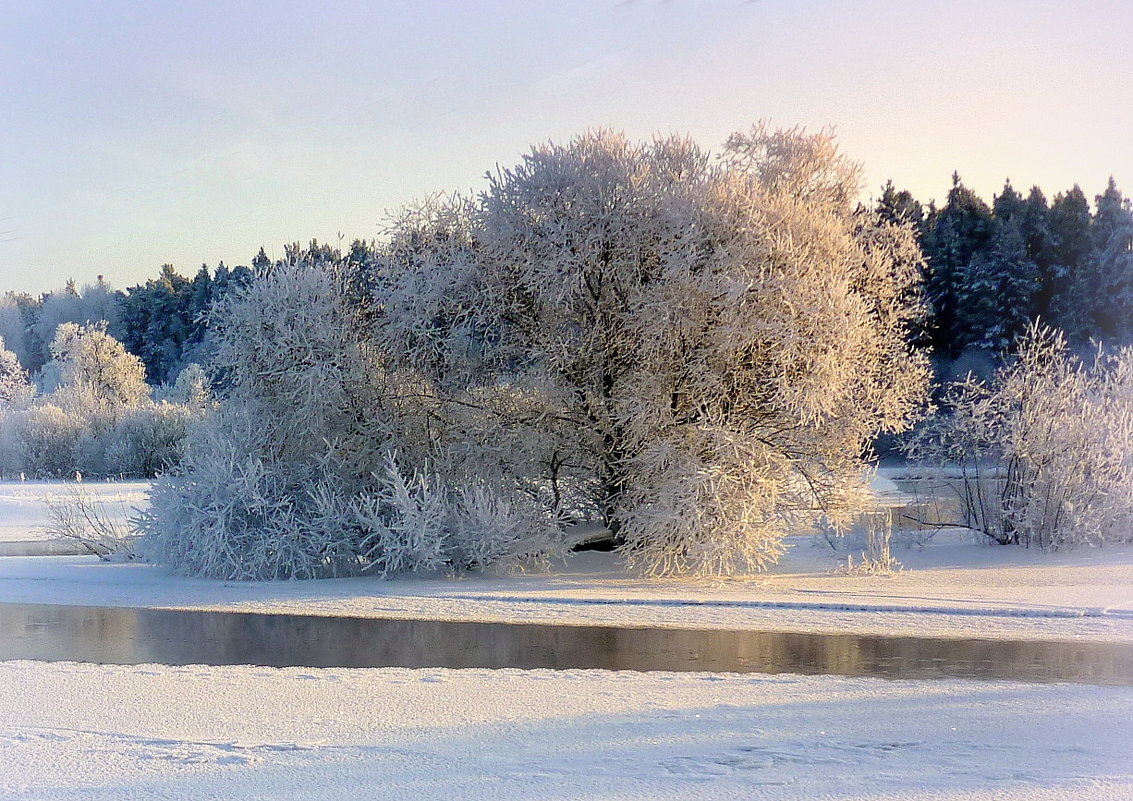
{"x":693,"y":352}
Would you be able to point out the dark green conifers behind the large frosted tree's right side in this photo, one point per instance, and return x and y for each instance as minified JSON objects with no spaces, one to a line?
{"x":993,"y":269}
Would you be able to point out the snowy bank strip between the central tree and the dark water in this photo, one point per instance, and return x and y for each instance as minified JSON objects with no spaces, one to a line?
{"x":950,"y":587}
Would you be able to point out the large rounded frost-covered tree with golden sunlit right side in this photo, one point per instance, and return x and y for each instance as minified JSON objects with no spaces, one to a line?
{"x":694,"y":352}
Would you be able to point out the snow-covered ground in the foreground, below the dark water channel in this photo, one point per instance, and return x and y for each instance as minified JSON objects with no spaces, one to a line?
{"x":115,"y":734}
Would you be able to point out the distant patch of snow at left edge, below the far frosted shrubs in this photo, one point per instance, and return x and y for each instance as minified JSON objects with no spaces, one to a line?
{"x":24,"y":514}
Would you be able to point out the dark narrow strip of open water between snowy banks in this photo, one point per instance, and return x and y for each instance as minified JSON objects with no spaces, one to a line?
{"x":130,"y":636}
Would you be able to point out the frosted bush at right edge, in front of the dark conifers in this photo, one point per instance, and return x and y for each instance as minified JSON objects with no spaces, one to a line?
{"x":1045,"y":453}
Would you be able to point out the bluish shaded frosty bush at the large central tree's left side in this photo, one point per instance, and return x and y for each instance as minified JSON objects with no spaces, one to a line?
{"x":293,"y":475}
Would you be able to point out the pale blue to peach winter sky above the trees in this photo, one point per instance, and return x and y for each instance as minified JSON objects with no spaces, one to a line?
{"x":138,"y":134}
